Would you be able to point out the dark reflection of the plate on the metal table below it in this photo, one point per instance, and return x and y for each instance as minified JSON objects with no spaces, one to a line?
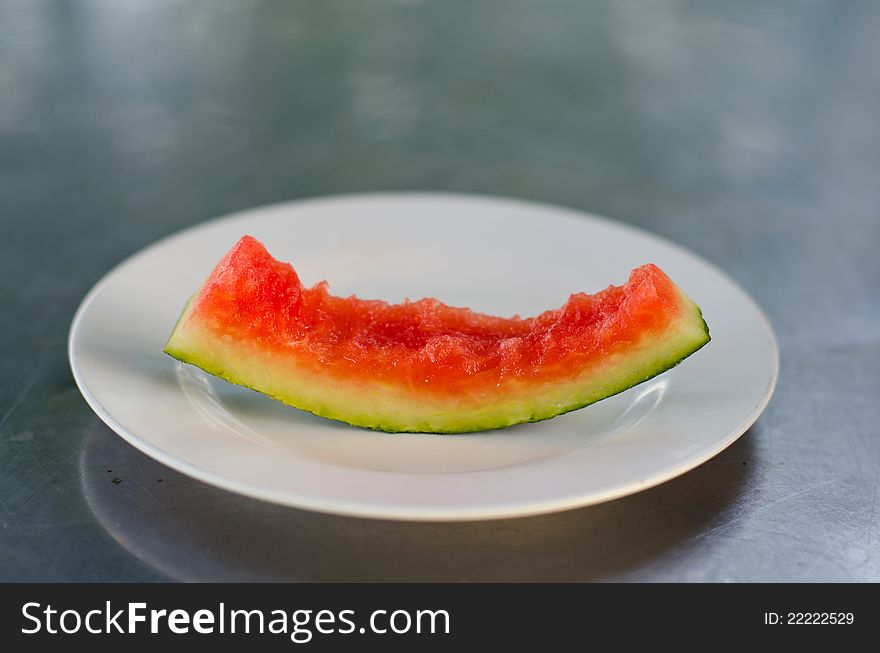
{"x":190,"y":531}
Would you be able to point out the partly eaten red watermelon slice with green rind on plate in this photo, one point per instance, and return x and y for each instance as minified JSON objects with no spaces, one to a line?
{"x":423,"y":366}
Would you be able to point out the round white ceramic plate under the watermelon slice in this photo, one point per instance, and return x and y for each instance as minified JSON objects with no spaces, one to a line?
{"x":494,"y":255}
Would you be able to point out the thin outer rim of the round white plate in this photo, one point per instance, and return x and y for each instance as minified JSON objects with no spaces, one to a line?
{"x":391,"y":511}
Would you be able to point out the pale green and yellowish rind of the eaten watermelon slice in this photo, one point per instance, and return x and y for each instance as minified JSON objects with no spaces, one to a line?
{"x":383,"y":407}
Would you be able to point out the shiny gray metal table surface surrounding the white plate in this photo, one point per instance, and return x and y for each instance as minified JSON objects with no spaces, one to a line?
{"x":745,"y":131}
